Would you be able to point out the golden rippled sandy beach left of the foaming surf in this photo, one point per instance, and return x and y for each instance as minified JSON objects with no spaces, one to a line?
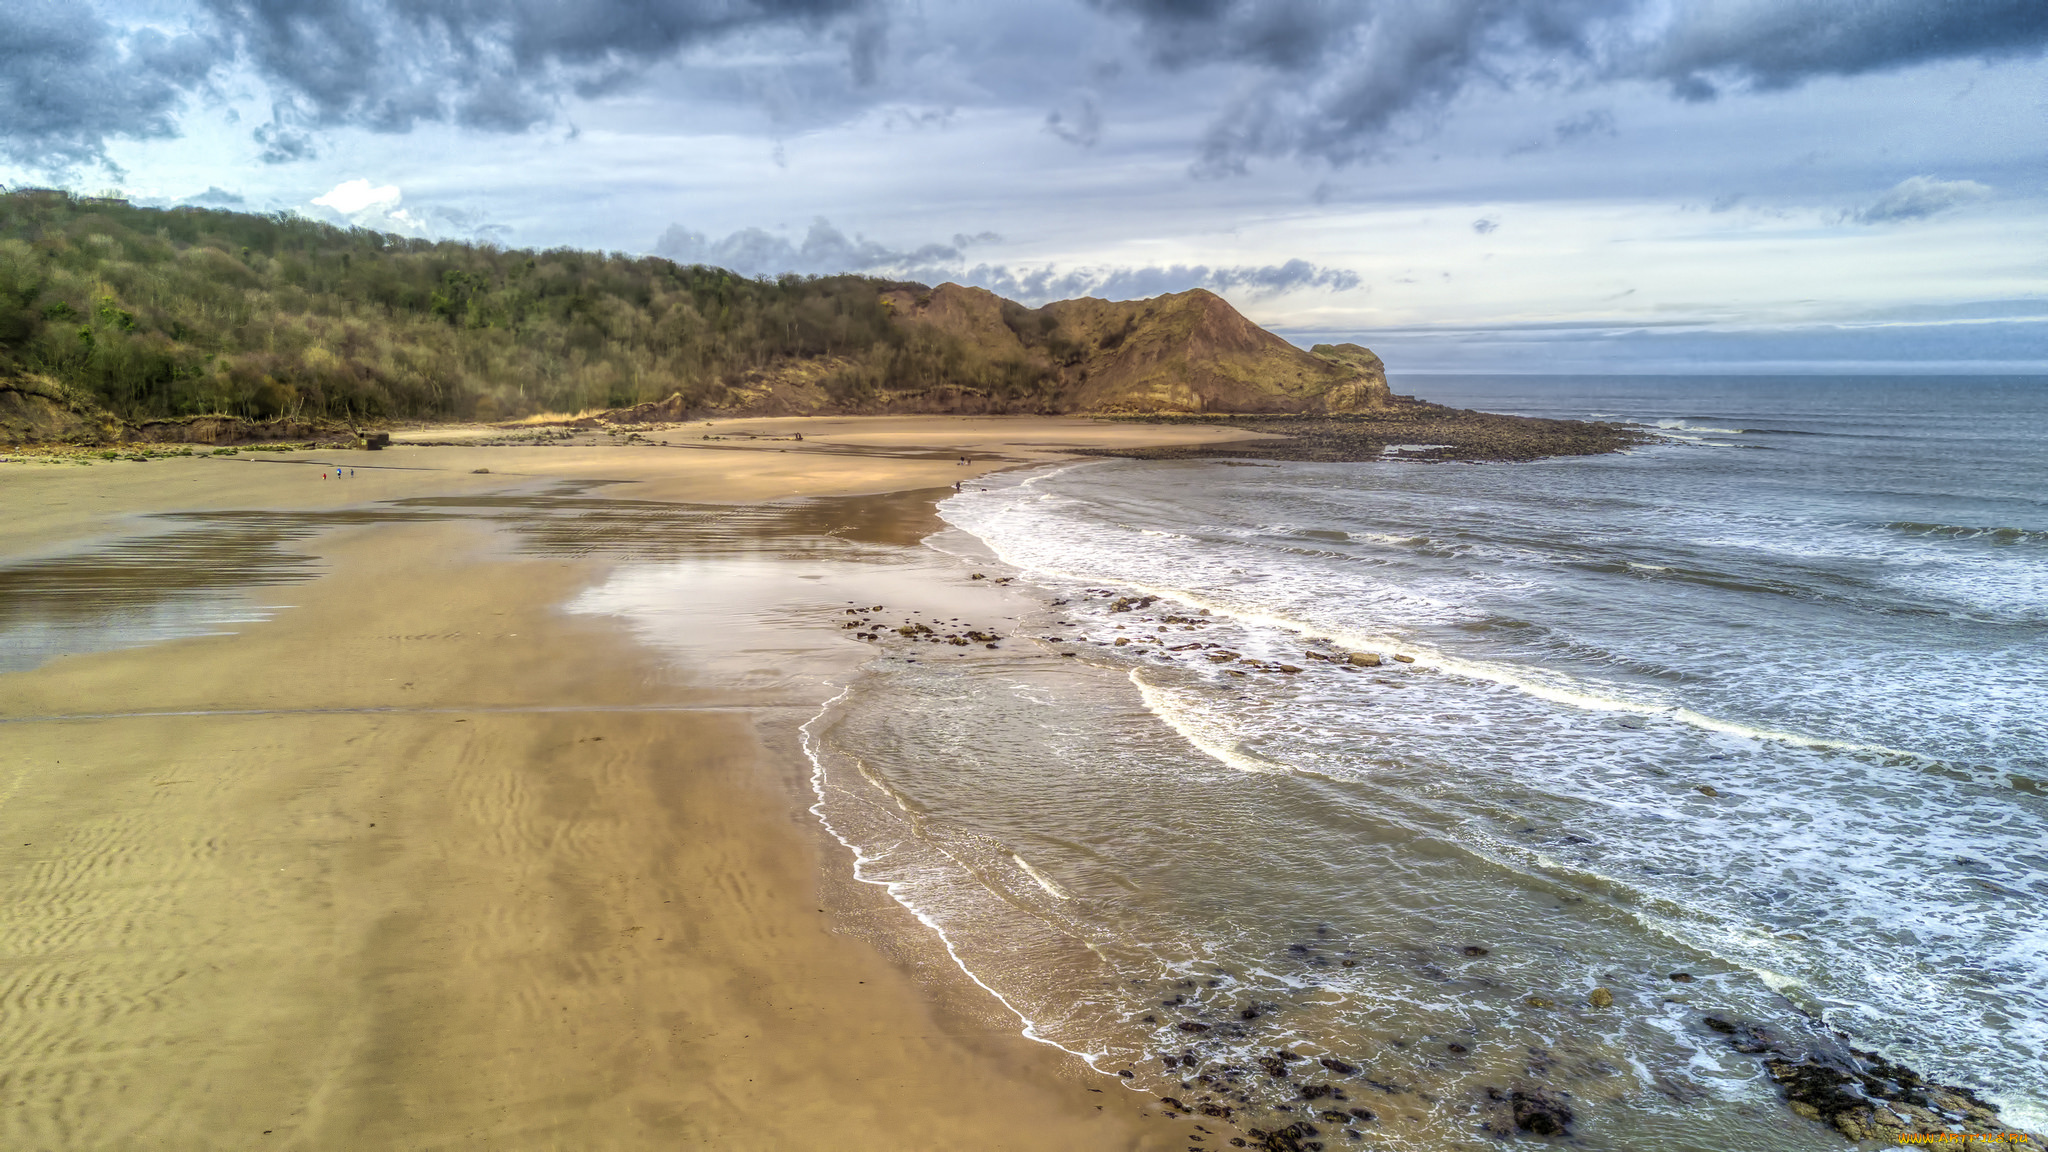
{"x":419,"y":860}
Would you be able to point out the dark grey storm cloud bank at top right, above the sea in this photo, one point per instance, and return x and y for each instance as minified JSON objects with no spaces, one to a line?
{"x":1338,"y":79}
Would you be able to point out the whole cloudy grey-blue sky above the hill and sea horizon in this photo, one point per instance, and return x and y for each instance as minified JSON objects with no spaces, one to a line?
{"x":1463,"y":186}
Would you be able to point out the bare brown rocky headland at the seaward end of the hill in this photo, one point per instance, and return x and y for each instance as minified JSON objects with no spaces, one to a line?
{"x":1172,"y":354}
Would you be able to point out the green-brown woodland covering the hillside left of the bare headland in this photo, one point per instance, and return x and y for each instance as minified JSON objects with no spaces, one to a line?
{"x":171,"y":313}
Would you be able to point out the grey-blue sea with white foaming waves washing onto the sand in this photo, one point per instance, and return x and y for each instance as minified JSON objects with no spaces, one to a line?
{"x":1750,"y":723}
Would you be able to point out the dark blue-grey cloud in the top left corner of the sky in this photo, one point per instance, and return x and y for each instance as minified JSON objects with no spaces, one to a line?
{"x":71,"y":81}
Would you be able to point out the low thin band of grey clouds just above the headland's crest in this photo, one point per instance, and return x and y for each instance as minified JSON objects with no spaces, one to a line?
{"x":828,"y":251}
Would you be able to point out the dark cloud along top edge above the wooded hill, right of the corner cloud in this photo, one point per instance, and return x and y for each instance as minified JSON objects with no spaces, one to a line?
{"x":495,"y":65}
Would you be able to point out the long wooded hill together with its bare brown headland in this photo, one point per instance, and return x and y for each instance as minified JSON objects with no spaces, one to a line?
{"x":185,"y":313}
